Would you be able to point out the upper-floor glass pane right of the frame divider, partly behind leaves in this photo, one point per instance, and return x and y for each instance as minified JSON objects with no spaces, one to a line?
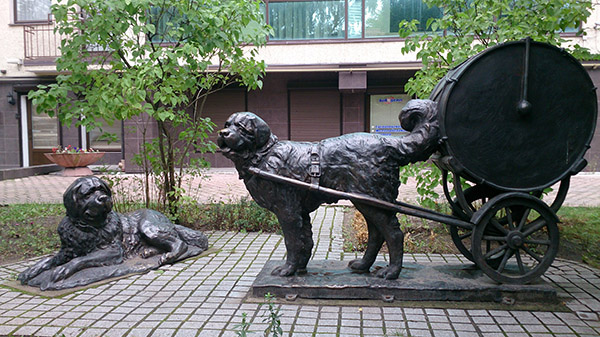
{"x":382,"y":17}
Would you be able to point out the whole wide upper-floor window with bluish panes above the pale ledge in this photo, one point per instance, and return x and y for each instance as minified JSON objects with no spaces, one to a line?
{"x":343,"y":19}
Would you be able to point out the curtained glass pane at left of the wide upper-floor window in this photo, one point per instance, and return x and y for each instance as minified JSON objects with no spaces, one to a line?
{"x":300,"y":20}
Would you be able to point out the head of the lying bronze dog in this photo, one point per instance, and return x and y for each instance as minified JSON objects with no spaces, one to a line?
{"x":88,"y":202}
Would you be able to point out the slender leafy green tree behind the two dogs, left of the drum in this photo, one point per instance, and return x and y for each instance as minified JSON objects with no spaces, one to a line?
{"x":111,"y":70}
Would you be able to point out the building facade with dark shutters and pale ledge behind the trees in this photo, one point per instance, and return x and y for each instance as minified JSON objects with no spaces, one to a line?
{"x":333,"y":67}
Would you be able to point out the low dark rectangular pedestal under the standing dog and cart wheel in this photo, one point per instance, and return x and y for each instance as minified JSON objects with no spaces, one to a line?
{"x":417,"y":282}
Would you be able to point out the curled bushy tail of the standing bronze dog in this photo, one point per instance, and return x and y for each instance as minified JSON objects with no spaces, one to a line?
{"x":420,"y":118}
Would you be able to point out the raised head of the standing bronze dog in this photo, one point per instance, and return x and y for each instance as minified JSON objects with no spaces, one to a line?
{"x":244,"y":133}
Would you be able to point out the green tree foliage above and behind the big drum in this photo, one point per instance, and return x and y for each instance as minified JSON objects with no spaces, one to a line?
{"x":467,"y":27}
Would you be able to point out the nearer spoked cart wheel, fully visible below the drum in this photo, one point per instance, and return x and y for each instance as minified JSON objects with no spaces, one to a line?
{"x":525,"y":236}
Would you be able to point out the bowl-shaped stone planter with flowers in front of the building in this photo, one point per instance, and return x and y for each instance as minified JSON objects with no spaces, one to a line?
{"x":74,"y":159}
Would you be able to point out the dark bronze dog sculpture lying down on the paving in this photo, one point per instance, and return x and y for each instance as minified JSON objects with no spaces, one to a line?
{"x":97,"y":243}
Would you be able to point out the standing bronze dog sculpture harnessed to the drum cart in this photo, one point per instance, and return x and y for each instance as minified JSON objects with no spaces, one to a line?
{"x":360,"y":163}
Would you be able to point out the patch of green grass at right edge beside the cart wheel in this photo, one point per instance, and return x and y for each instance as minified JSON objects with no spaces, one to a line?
{"x":580,"y":228}
